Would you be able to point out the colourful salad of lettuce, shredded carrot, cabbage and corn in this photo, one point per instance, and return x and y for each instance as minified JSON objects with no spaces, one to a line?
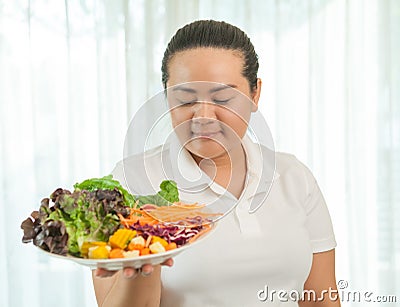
{"x":100,"y":219}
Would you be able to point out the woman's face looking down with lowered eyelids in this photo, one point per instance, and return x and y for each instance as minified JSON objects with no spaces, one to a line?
{"x":210,"y":100}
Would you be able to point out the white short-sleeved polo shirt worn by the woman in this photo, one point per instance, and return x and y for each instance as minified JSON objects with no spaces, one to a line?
{"x":257,"y":259}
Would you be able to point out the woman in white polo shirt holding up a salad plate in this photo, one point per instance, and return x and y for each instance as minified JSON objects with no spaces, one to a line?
{"x":263,"y":258}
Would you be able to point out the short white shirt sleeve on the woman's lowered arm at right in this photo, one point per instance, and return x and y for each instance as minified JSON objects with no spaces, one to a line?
{"x":318,"y":220}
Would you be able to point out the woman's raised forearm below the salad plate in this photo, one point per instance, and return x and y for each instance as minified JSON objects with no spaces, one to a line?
{"x":120,"y":291}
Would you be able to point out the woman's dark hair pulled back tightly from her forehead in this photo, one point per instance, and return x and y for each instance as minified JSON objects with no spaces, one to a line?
{"x":217,"y":34}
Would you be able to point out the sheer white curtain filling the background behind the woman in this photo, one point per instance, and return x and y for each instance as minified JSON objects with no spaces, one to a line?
{"x":73,"y":72}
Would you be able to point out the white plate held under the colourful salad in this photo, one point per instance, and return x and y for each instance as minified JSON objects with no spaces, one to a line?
{"x":137,"y":262}
